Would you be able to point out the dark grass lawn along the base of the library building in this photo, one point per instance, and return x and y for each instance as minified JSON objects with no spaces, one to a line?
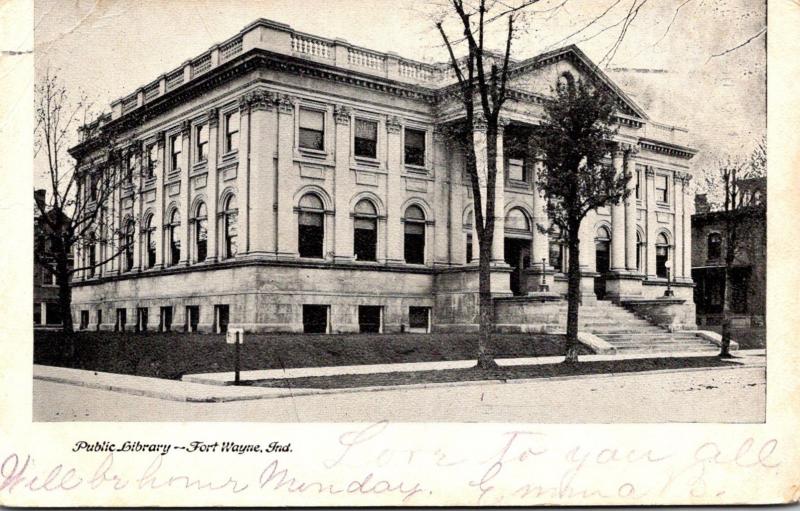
{"x":171,"y":355}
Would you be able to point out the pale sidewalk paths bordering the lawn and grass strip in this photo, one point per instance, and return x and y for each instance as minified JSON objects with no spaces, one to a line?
{"x":216,"y":387}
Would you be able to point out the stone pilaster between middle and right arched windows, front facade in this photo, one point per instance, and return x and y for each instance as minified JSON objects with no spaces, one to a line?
{"x":394,"y":199}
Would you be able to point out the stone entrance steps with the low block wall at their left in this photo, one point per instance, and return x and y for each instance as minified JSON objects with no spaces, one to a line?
{"x":623,"y":330}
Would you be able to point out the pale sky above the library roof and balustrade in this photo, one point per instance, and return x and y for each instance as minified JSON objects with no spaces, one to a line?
{"x":666,"y":60}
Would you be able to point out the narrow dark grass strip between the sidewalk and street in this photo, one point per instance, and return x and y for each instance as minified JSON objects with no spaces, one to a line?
{"x":503,"y":374}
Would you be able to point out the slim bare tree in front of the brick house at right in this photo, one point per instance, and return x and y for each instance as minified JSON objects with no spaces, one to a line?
{"x":740,"y":213}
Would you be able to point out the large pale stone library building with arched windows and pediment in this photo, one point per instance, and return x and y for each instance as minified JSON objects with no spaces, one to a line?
{"x":289,"y":182}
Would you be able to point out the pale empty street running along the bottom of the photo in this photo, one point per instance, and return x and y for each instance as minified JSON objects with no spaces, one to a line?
{"x":705,"y":395}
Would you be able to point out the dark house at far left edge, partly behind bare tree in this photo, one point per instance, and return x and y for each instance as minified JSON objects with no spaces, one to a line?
{"x":46,"y":312}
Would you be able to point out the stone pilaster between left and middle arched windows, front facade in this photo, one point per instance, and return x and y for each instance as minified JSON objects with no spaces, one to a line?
{"x":343,"y":222}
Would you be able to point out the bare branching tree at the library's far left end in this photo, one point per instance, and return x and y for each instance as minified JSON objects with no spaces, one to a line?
{"x":75,"y":213}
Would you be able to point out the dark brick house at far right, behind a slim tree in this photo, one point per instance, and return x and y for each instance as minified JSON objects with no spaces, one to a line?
{"x":749,"y":275}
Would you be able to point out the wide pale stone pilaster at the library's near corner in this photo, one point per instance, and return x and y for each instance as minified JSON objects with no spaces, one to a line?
{"x":262,"y":147}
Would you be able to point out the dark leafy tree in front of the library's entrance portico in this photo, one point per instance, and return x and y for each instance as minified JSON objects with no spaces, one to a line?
{"x":574,"y":141}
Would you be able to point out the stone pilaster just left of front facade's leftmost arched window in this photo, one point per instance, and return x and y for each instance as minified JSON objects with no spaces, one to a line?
{"x":286,"y":219}
